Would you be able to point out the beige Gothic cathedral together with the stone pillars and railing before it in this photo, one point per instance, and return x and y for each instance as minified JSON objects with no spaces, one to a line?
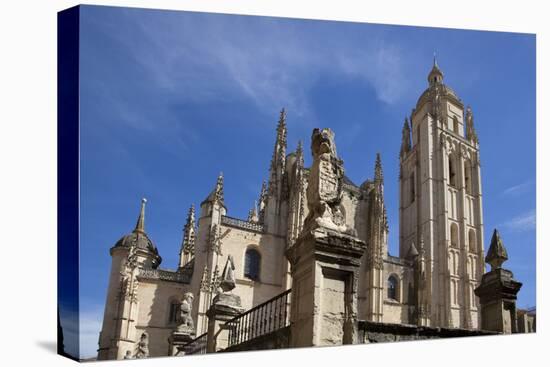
{"x":311,"y":259}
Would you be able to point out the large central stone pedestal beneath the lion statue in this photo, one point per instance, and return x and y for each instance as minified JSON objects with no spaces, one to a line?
{"x":324,"y":267}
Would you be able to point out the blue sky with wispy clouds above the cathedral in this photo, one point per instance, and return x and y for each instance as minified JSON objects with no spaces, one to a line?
{"x":170,"y":99}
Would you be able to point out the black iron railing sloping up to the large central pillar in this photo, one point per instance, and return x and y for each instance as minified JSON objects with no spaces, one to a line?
{"x":265,"y":318}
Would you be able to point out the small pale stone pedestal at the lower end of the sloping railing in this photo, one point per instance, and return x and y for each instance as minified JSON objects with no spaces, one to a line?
{"x":225,"y":306}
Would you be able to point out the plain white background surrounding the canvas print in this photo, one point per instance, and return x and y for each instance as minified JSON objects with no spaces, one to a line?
{"x":28,"y":179}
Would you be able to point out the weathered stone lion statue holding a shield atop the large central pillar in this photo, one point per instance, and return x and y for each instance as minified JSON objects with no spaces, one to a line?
{"x":324,"y":190}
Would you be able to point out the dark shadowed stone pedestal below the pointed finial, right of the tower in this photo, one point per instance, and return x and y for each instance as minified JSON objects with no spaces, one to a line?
{"x":497,"y":297}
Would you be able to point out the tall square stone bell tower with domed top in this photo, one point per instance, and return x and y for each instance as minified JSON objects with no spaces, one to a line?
{"x":440,"y":207}
